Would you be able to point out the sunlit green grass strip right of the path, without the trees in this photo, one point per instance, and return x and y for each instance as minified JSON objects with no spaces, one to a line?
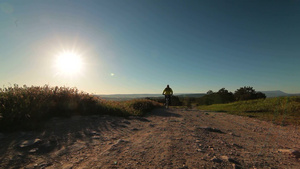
{"x":280,"y":110}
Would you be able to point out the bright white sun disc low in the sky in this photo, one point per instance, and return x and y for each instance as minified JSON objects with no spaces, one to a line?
{"x":69,"y":63}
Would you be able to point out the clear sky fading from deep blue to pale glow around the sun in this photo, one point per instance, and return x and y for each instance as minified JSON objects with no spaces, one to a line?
{"x":140,"y":46}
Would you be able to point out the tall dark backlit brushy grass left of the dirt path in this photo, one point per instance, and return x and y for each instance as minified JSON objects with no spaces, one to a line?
{"x":27,"y":108}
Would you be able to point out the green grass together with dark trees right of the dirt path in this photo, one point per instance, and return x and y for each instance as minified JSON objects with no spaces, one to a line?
{"x":245,"y":101}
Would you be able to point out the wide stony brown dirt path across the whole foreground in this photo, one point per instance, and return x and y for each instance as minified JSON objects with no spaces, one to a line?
{"x":173,"y":138}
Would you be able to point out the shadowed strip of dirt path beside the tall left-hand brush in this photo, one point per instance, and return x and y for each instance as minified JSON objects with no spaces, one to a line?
{"x":67,"y":135}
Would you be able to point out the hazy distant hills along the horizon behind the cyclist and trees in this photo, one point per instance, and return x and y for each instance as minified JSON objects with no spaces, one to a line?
{"x":275,"y":93}
